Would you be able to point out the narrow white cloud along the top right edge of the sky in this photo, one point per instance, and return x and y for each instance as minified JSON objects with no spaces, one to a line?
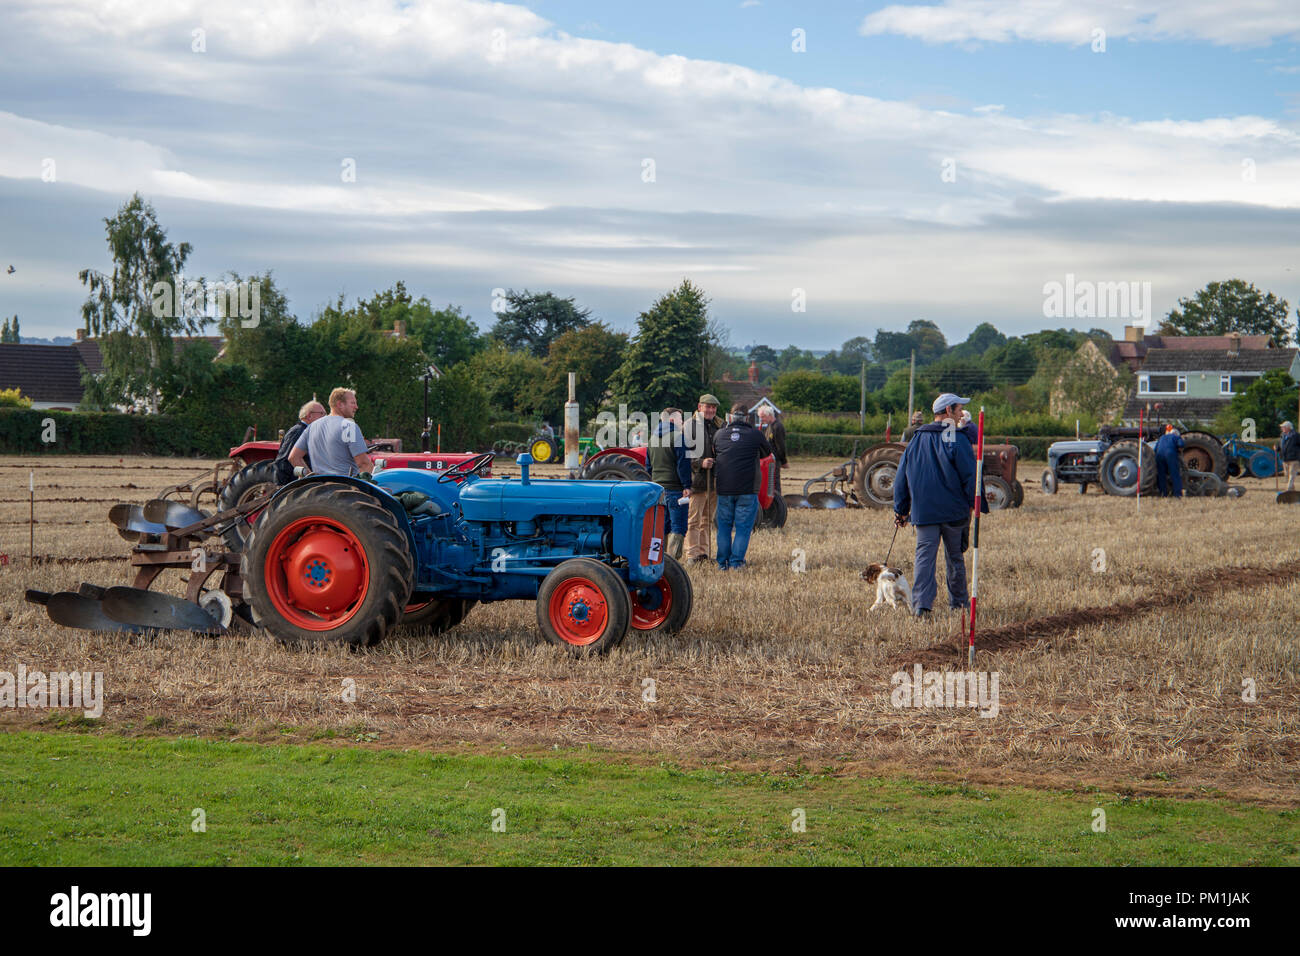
{"x":1243,"y":23}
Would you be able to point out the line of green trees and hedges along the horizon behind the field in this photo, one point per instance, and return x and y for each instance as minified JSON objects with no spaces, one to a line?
{"x":514,"y":374}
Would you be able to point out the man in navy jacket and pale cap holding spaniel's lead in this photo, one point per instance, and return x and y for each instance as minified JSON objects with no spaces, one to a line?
{"x":935,"y":490}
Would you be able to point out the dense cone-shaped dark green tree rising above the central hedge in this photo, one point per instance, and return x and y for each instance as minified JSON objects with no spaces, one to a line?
{"x":669,"y":360}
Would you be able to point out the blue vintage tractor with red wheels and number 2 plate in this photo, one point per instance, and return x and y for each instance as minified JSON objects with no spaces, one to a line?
{"x":341,"y":560}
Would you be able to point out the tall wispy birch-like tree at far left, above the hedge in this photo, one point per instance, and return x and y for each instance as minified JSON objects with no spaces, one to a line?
{"x":136,"y":336}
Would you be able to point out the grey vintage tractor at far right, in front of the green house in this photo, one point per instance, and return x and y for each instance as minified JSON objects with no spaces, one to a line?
{"x":1112,"y":461}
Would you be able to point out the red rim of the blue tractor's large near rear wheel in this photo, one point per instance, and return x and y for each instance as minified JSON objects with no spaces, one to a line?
{"x":317,"y":574}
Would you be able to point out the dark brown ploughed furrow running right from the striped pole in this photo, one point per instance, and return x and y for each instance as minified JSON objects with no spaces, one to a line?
{"x":1022,"y":634}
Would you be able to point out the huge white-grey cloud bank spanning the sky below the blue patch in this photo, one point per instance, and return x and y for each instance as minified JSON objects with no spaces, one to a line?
{"x":517,"y":158}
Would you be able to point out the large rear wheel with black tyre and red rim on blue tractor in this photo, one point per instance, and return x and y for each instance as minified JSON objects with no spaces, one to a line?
{"x":328,"y":564}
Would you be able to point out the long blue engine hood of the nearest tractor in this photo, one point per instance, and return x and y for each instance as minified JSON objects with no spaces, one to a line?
{"x":496,"y":500}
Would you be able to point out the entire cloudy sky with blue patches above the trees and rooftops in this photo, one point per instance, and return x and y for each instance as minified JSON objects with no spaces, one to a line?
{"x":894,"y":162}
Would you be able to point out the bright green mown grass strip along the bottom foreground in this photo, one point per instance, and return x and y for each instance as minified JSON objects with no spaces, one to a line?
{"x":93,"y":799}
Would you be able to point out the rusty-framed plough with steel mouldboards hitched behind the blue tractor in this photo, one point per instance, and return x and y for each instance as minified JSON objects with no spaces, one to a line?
{"x":166,"y":535}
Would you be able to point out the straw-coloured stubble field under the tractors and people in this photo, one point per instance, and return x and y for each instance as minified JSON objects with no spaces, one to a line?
{"x":1121,"y":642}
